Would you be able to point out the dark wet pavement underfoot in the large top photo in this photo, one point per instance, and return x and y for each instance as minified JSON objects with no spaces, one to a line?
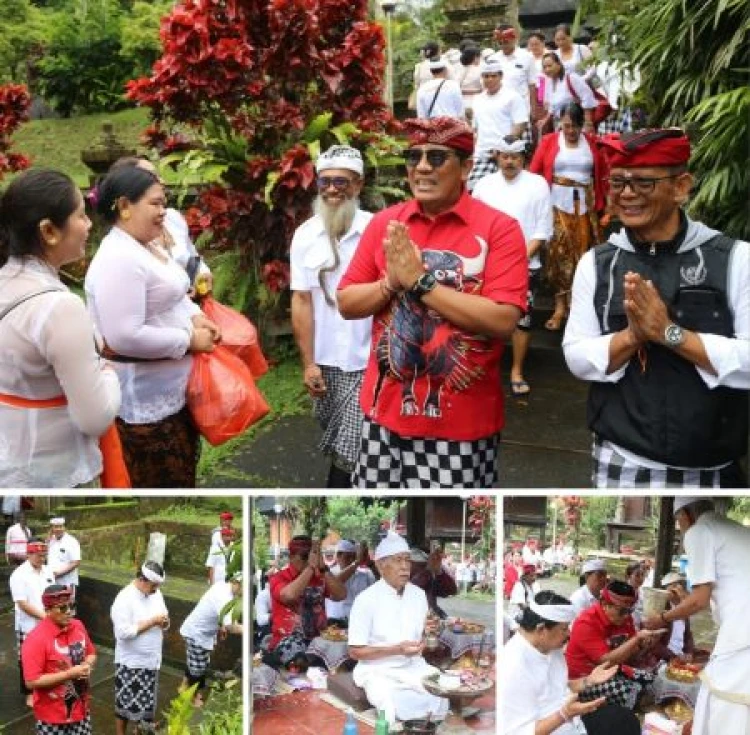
{"x":545,"y":442}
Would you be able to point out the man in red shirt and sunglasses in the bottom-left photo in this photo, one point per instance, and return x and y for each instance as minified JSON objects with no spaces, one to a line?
{"x":57,"y":658}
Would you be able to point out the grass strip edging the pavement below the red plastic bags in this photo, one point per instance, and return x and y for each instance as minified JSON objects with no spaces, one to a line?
{"x":282,"y":388}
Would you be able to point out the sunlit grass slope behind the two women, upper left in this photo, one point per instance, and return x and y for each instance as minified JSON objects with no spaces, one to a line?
{"x":58,"y":143}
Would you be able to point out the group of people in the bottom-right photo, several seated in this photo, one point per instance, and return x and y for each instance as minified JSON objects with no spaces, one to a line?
{"x":595,"y":655}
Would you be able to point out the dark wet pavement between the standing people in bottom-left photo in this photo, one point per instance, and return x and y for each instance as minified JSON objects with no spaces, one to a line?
{"x":17,"y":719}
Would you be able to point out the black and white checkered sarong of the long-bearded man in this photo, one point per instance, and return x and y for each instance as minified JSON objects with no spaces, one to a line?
{"x":340,"y":416}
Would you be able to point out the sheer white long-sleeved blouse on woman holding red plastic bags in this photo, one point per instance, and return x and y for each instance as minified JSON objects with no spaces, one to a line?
{"x":140,"y":307}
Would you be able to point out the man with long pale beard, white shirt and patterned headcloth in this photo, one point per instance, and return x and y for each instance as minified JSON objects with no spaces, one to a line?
{"x":334,"y":352}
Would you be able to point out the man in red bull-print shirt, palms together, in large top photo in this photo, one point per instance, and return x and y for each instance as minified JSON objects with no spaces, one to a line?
{"x":445,"y":278}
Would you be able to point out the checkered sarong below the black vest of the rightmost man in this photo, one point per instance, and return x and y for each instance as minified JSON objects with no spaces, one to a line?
{"x":612,"y":470}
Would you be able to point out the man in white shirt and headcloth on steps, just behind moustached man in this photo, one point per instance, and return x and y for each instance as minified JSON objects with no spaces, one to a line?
{"x":498,"y":111}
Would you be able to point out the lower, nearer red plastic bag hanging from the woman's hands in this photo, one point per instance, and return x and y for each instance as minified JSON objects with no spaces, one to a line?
{"x":222,"y":396}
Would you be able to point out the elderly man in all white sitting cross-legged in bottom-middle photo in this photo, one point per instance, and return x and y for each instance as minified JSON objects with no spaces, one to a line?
{"x":385,"y":638}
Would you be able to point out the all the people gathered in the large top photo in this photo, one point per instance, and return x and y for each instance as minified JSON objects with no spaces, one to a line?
{"x":401,"y":315}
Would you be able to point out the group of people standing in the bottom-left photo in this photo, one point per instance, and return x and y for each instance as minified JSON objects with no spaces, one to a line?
{"x":56,"y":656}
